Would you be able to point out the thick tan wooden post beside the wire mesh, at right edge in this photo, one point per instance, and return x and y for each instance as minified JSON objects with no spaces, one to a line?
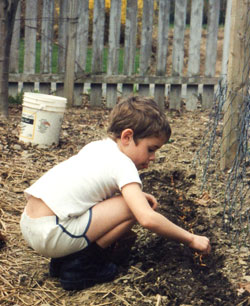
{"x":237,"y":78}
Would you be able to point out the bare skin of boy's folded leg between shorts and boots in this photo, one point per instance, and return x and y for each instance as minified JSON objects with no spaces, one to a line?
{"x":110,"y":220}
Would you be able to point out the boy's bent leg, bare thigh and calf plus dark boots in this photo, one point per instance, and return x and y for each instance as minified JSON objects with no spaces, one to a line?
{"x":110,"y":220}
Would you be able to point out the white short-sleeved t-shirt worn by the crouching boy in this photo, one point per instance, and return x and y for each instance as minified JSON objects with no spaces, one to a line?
{"x":96,"y":173}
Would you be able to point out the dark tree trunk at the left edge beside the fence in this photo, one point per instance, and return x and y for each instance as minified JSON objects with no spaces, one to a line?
{"x":7,"y":18}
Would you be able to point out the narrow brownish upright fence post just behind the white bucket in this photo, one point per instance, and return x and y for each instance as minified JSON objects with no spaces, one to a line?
{"x":70,"y":54}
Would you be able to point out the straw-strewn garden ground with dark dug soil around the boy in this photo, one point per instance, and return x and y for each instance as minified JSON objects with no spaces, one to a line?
{"x":157,"y":271}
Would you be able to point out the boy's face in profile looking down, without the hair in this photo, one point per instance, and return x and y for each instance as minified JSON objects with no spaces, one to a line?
{"x":144,"y":151}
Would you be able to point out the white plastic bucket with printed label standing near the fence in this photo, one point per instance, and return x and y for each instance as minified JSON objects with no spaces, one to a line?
{"x":42,"y":117}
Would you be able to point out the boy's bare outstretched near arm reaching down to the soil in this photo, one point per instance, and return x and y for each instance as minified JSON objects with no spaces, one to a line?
{"x":157,"y":223}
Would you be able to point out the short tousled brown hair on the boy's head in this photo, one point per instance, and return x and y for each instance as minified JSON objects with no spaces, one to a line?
{"x":142,"y":115}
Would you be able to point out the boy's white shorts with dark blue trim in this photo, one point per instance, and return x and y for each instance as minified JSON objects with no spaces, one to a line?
{"x":52,"y":237}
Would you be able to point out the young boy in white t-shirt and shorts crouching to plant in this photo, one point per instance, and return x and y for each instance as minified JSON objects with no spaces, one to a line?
{"x":86,"y":203}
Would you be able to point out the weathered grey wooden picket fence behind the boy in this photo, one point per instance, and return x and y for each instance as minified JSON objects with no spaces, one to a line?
{"x":171,"y":62}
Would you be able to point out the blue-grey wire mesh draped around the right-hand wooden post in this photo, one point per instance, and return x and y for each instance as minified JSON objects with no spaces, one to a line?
{"x":236,"y":187}
